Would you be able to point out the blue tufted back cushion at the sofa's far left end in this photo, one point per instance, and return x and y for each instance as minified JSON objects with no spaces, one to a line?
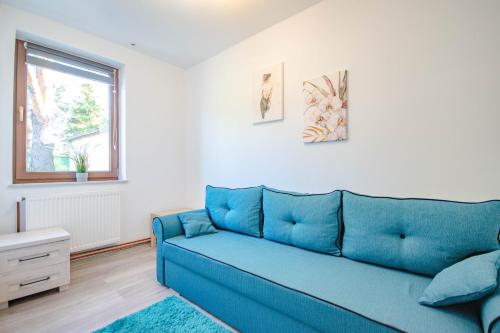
{"x":238,"y":210}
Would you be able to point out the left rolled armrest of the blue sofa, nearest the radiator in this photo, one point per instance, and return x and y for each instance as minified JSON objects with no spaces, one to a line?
{"x":165,"y":227}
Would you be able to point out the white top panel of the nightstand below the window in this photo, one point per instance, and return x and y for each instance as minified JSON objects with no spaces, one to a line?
{"x":33,"y":237}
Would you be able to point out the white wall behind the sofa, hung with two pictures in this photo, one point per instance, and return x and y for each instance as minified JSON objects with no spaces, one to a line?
{"x":424,"y":103}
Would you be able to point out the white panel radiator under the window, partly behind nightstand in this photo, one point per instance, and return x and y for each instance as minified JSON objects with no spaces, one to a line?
{"x":92,"y":218}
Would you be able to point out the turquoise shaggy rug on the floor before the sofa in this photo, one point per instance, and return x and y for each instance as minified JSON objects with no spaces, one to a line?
{"x":169,"y":315}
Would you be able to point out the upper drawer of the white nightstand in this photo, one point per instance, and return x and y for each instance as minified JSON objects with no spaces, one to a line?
{"x":29,"y":258}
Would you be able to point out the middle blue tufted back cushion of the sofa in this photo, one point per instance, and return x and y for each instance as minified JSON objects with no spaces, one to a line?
{"x":309,"y":221}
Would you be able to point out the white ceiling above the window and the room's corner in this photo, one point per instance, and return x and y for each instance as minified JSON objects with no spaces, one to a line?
{"x":181,"y":32}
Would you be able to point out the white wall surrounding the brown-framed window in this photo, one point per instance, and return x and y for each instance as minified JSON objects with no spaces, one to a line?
{"x":152,"y":103}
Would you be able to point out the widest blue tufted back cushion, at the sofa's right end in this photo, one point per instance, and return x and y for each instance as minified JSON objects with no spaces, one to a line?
{"x":418,"y":235}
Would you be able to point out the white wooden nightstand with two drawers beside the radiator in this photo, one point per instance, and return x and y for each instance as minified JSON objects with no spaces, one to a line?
{"x":33,"y":261}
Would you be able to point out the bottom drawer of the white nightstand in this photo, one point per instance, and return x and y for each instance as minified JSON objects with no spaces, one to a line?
{"x":26,"y":283}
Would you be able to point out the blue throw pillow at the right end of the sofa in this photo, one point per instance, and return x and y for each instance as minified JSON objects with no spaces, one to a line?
{"x":465,"y":281}
